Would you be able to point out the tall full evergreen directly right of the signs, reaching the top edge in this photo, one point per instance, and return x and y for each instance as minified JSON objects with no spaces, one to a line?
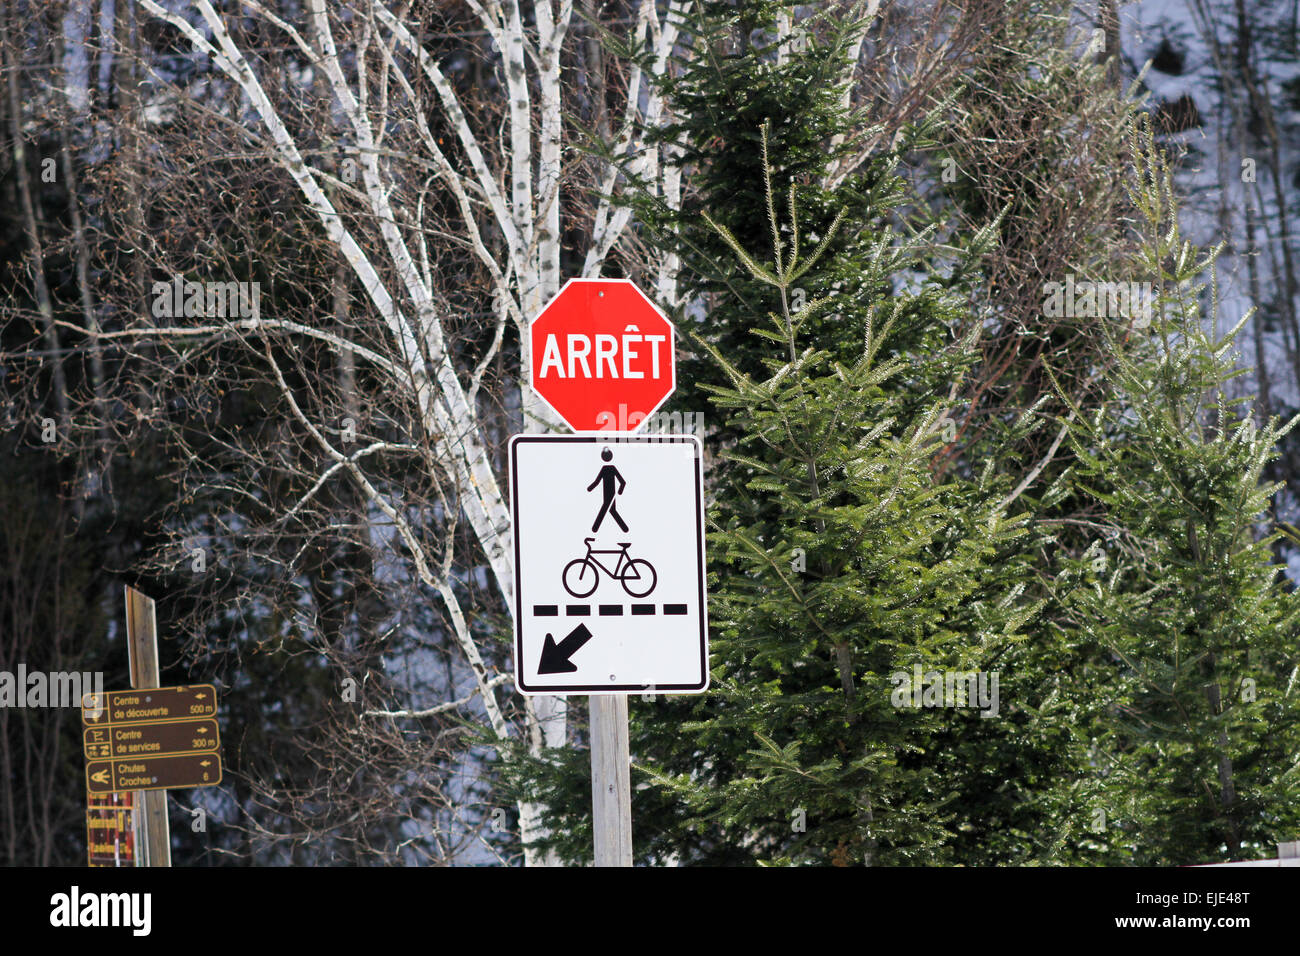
{"x":915,"y":786}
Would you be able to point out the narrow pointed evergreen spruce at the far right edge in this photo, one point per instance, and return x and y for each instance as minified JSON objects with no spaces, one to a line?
{"x":1199,"y":762}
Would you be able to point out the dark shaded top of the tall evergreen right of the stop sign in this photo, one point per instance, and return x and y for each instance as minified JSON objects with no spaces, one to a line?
{"x":722,"y":97}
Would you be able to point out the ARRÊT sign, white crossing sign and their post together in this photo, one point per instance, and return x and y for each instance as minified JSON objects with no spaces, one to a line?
{"x":614,"y":605}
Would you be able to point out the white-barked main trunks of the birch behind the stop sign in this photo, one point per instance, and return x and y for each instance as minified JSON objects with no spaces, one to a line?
{"x":517,"y":179}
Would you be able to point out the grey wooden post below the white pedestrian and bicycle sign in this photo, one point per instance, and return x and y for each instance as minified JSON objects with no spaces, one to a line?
{"x":612,"y":780}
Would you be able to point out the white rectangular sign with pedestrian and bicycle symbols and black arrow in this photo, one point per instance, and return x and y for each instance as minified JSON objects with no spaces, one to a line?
{"x":609,"y":565}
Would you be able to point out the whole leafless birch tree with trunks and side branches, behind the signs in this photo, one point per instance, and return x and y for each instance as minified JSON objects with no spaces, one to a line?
{"x":414,"y":163}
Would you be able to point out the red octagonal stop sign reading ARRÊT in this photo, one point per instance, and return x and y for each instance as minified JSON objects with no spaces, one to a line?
{"x":603,"y":356}
